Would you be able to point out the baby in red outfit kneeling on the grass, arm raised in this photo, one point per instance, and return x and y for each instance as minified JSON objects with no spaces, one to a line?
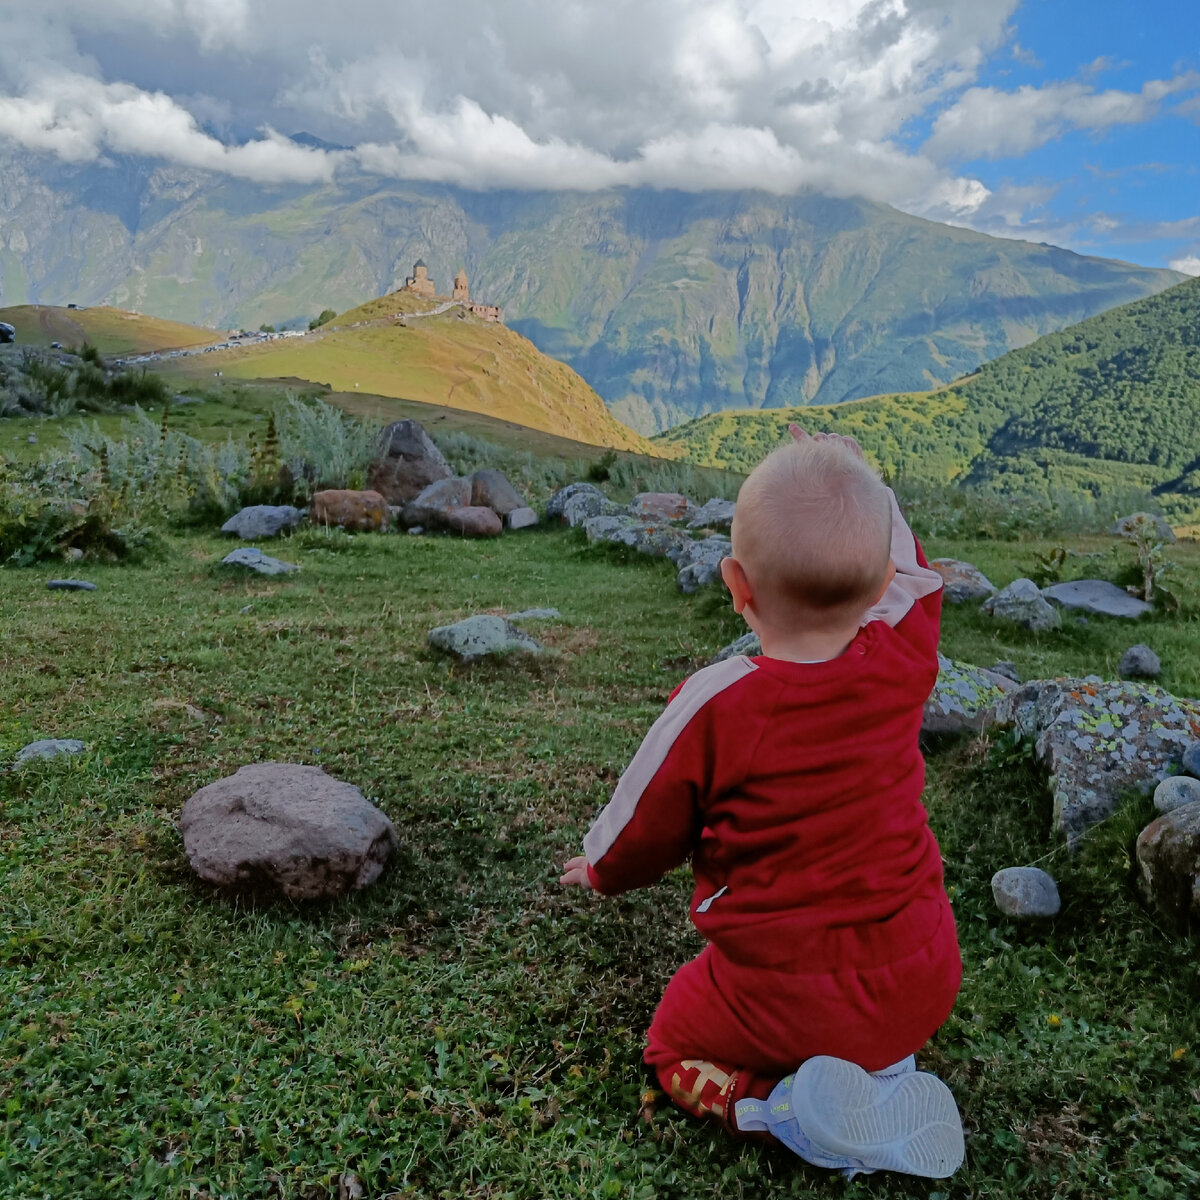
{"x":794,"y":782}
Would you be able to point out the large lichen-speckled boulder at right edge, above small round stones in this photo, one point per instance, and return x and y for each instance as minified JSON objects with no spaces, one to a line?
{"x":1100,"y":741}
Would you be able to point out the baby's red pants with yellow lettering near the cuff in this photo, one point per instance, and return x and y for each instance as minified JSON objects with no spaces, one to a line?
{"x":725,"y":1031}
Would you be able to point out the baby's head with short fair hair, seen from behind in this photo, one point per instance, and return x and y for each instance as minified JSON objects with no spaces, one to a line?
{"x":813,"y":533}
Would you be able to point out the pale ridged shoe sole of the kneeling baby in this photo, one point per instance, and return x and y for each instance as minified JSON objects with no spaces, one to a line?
{"x":908,"y":1124}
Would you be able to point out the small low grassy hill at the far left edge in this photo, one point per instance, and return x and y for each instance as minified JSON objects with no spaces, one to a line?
{"x":111,"y":331}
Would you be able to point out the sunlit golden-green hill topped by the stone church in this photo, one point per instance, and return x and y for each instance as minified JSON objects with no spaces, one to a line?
{"x":403,"y":347}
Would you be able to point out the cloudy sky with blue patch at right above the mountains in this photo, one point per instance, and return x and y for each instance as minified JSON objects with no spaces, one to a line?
{"x":1070,"y":122}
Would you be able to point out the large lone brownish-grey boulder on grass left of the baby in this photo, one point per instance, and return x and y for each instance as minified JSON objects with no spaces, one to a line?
{"x":280,"y":829}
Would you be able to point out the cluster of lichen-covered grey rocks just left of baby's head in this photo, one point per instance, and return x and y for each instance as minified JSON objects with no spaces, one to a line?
{"x":663,"y":525}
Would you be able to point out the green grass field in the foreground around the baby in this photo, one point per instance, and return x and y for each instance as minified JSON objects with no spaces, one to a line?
{"x":465,"y":1029}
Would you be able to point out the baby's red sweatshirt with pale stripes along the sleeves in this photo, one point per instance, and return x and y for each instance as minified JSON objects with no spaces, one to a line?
{"x":796,"y":790}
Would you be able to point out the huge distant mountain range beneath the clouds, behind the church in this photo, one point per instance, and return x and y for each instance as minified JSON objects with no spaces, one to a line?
{"x":670,"y":304}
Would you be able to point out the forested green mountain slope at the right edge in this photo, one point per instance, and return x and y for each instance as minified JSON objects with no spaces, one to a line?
{"x":1109,"y":405}
